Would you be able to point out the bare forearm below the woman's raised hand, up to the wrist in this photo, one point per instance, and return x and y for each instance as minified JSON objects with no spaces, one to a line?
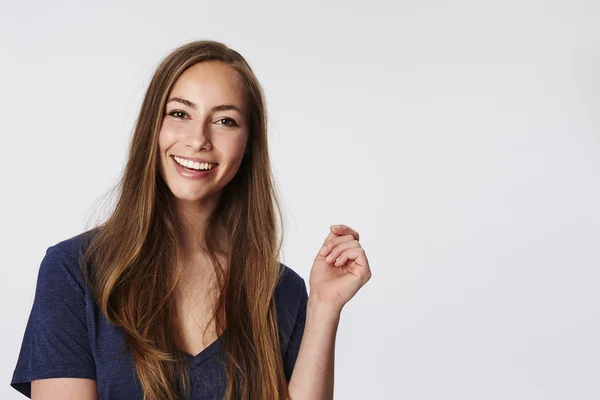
{"x":313,"y":373}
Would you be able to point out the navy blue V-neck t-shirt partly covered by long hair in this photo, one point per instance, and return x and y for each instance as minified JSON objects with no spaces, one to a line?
{"x":67,"y":335}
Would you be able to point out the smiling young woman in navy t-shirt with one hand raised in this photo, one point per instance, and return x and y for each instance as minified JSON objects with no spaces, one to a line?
{"x":180,"y":294}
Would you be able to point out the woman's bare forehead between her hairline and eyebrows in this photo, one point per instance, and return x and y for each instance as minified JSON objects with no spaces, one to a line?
{"x":210,"y":82}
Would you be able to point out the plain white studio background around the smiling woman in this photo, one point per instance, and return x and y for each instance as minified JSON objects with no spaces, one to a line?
{"x":461,"y":141}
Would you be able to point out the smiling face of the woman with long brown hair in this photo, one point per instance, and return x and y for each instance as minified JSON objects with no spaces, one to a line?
{"x":205,"y":120}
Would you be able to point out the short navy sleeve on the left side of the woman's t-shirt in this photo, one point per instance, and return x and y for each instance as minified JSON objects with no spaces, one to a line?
{"x":56,"y":342}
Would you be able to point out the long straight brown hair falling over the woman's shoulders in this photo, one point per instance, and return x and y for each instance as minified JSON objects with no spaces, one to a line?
{"x":134,"y":252}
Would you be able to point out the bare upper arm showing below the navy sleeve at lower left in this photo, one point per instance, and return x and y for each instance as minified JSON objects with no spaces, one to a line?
{"x":63,"y":388}
